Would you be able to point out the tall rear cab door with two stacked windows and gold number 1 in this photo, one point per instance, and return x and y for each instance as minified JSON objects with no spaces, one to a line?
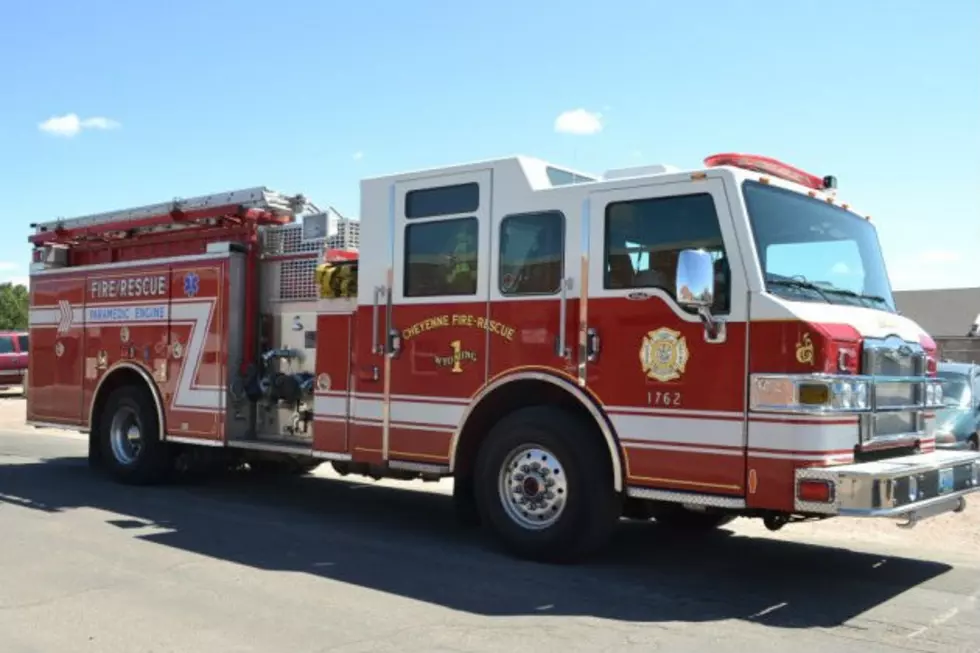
{"x":437,"y":314}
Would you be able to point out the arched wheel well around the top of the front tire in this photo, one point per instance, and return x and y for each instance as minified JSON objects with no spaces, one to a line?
{"x":512,"y":396}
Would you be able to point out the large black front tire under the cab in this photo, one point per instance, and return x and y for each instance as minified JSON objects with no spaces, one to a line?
{"x":591,"y":508}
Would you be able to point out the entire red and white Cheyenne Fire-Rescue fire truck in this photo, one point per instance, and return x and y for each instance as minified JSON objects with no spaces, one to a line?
{"x":688,"y":346}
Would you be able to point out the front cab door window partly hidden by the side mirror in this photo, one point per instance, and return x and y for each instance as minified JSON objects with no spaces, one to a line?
{"x":644,"y":238}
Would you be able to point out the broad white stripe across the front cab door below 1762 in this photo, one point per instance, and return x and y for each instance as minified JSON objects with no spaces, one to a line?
{"x":679,"y":430}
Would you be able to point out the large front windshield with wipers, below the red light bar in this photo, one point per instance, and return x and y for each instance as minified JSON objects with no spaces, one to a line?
{"x":811,"y":250}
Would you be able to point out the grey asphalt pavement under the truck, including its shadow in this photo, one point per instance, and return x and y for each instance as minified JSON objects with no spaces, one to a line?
{"x":320,"y":563}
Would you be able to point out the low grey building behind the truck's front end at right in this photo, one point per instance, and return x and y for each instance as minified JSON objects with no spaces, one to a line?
{"x":950,"y":315}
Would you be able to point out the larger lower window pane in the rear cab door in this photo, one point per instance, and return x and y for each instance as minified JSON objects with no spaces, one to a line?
{"x":441,"y":257}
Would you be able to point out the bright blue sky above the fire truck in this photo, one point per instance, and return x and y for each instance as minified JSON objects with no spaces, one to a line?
{"x":173,"y":99}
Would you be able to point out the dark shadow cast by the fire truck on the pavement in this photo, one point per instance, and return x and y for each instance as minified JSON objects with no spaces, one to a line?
{"x":407,"y":543}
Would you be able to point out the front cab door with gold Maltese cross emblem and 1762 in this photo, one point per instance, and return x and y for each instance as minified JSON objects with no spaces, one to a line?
{"x":674,"y":393}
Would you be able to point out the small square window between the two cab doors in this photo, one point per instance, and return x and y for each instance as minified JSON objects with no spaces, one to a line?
{"x":532,"y":253}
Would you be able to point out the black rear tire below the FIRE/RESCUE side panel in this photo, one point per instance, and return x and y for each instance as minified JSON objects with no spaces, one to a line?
{"x":134,"y":406}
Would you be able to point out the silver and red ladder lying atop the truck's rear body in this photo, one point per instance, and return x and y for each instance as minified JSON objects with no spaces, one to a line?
{"x":260,"y":204}
